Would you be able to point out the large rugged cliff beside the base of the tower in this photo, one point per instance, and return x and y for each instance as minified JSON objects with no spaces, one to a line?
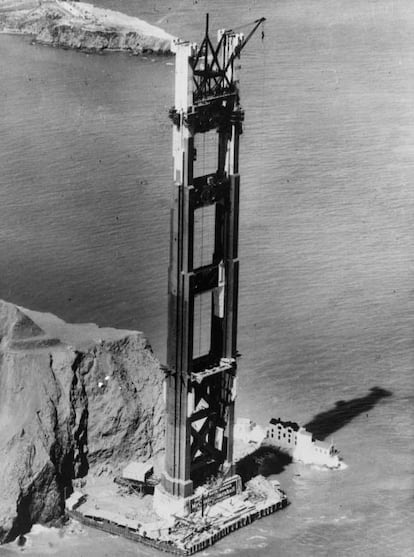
{"x":73,"y":399}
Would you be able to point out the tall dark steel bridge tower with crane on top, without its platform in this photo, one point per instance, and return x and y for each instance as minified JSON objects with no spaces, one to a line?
{"x":201,"y":387}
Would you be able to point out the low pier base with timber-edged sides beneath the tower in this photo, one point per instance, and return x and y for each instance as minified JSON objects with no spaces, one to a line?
{"x":181,"y":532}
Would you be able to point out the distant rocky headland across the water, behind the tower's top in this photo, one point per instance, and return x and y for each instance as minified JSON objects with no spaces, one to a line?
{"x":82,"y":26}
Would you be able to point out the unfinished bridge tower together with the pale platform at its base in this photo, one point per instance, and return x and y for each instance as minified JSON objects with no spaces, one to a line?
{"x":200,"y":382}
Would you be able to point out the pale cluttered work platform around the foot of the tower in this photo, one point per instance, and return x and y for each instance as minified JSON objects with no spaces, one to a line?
{"x":181,"y":535}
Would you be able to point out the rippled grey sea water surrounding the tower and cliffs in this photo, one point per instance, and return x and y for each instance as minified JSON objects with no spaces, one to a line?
{"x":326,"y":238}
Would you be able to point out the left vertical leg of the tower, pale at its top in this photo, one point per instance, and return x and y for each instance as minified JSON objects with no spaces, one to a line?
{"x":176,"y":477}
